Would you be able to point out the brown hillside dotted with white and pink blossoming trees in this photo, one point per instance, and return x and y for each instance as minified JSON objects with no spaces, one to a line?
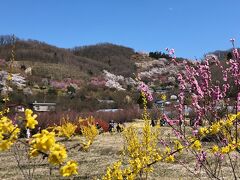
{"x":82,"y":78}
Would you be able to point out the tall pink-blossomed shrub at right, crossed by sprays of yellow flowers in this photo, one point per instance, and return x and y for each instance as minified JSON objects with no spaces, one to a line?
{"x":209,"y":99}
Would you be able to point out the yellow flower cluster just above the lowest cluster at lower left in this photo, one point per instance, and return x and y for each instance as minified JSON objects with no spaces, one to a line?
{"x":57,"y":154}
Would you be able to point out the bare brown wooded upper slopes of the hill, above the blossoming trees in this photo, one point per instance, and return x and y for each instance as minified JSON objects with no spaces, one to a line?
{"x":88,"y":59}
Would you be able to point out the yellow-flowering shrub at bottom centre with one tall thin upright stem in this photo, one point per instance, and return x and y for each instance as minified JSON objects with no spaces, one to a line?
{"x":140,"y":152}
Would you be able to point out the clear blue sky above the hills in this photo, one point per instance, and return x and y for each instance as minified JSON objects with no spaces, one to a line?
{"x":191,"y":27}
